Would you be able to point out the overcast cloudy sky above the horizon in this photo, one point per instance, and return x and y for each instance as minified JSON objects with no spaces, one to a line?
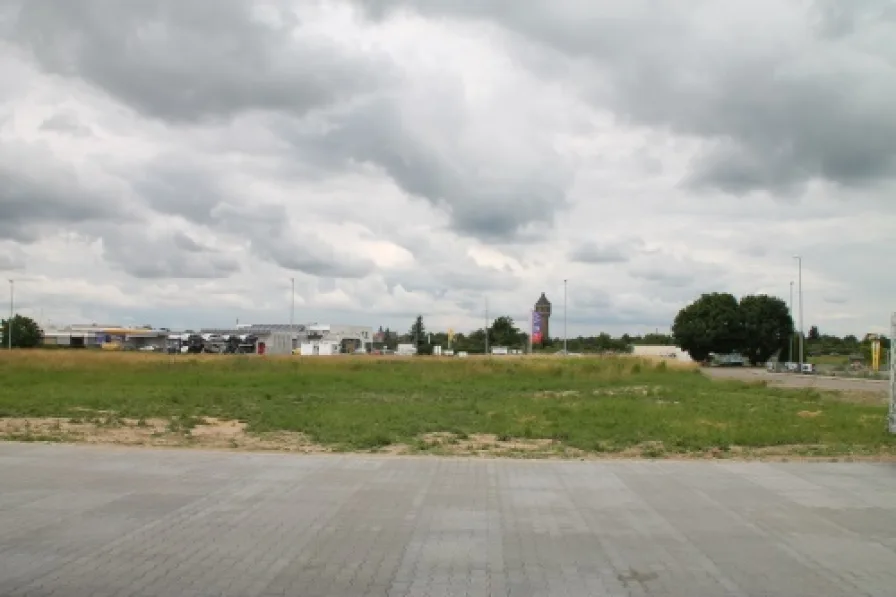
{"x":176,"y":162}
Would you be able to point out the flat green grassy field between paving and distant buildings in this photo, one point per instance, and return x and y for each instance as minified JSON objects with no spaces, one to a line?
{"x":512,"y":406}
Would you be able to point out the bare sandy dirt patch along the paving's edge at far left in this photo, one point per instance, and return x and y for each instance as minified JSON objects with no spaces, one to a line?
{"x":201,"y":433}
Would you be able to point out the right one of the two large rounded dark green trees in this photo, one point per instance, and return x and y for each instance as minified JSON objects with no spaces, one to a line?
{"x":768,"y":327}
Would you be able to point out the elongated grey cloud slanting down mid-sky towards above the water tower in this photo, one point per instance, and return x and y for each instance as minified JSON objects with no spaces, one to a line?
{"x":491,"y":202}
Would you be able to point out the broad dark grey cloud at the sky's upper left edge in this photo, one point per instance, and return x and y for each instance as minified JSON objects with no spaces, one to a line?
{"x":184,"y":60}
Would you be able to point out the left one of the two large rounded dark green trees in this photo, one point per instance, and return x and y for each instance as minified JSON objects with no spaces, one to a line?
{"x":712,"y":323}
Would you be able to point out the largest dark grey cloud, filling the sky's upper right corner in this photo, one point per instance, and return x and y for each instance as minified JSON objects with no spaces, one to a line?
{"x":780,"y":106}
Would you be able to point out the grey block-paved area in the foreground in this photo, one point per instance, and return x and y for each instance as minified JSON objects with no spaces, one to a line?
{"x":94,"y":522}
